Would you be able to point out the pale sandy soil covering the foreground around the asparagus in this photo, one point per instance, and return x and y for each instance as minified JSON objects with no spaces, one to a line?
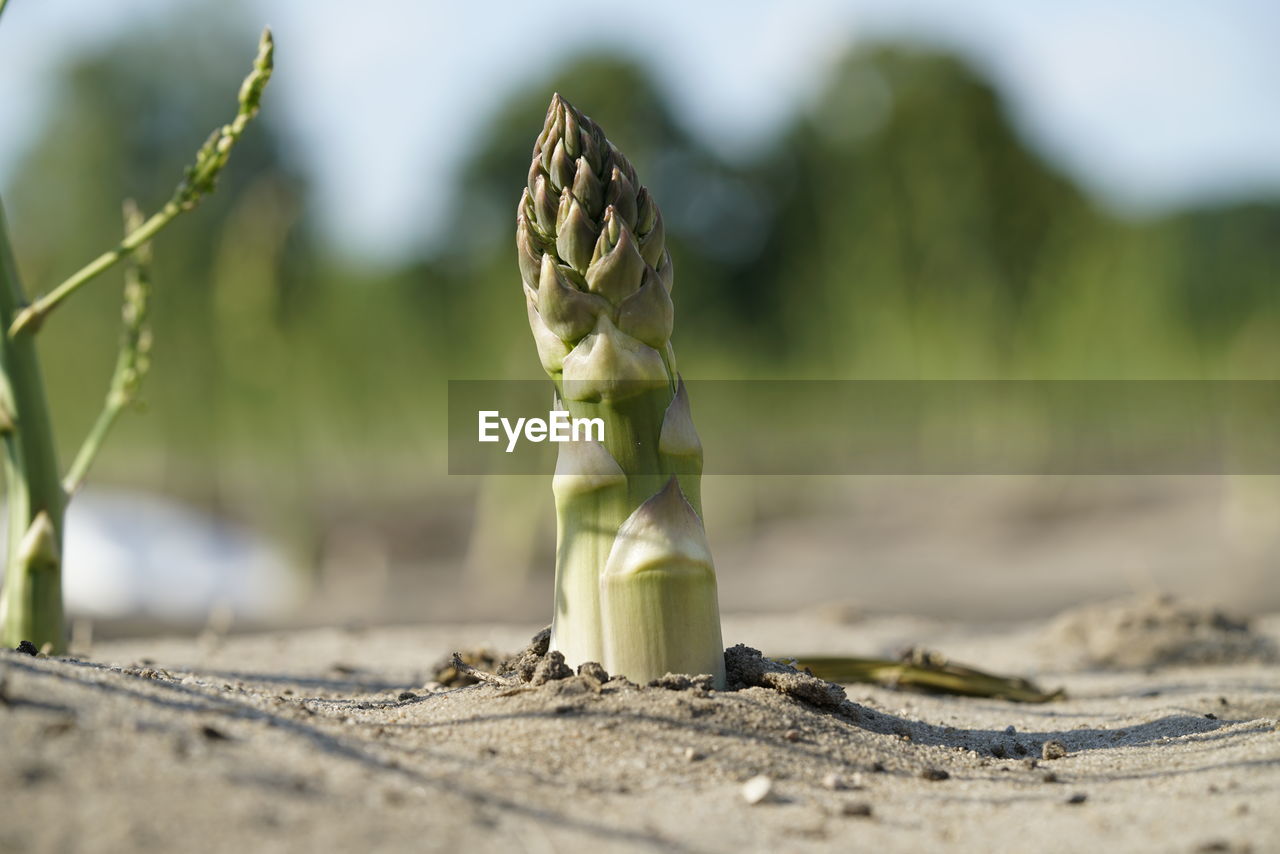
{"x":332,"y":741}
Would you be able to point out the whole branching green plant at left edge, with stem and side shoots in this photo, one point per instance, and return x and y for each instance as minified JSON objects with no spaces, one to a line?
{"x":31,"y":602}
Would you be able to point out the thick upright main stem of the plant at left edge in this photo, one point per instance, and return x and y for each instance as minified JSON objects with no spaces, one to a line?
{"x":31,"y":602}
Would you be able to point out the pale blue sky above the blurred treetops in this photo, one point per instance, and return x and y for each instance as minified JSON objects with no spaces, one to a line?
{"x":1150,"y":106}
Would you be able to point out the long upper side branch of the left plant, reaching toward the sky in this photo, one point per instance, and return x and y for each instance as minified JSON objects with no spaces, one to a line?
{"x":199,"y":181}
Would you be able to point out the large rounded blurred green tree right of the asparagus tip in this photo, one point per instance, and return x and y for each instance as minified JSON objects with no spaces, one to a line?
{"x":911,"y":209}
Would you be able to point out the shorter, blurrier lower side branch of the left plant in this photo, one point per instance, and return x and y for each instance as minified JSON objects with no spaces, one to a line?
{"x":132,"y":362}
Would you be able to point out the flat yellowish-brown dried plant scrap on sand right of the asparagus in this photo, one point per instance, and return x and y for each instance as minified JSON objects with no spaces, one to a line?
{"x":924,"y":670}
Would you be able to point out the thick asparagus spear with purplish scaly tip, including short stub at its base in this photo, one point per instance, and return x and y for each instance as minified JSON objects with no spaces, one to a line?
{"x":636,"y":588}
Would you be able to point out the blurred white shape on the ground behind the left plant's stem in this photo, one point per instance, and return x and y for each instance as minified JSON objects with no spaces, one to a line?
{"x":131,"y":554}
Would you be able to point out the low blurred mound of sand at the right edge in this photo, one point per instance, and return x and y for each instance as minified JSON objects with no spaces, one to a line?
{"x":1159,"y":632}
